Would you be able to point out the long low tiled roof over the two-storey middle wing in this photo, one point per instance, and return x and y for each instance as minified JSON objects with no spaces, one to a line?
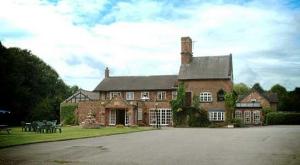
{"x":125,"y":83}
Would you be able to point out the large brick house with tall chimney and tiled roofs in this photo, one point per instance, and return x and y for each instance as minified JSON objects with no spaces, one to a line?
{"x":143,"y":100}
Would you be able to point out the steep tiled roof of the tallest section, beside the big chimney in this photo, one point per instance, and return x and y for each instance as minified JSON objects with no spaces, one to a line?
{"x":208,"y":67}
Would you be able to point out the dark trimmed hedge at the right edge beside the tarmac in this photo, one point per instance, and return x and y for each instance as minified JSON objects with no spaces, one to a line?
{"x":275,"y":118}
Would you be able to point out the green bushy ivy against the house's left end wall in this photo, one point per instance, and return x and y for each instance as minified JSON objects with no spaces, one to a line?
{"x":67,"y":115}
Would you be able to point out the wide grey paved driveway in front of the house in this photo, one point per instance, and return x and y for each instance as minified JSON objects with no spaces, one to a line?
{"x":273,"y":145}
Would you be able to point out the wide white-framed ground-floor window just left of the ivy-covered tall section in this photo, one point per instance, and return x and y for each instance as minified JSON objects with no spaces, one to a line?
{"x":162,"y":116}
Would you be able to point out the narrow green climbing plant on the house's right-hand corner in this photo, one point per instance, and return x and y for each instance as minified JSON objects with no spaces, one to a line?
{"x":230,"y":101}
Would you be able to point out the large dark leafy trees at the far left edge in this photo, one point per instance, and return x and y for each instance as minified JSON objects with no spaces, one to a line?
{"x":30,"y":88}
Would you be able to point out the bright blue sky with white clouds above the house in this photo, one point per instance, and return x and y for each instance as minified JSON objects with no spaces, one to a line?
{"x":80,"y":38}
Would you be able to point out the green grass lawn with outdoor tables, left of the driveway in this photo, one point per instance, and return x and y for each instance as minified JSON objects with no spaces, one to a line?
{"x":17,"y":137}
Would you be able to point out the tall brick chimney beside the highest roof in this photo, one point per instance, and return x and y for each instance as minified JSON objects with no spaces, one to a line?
{"x":186,"y":50}
